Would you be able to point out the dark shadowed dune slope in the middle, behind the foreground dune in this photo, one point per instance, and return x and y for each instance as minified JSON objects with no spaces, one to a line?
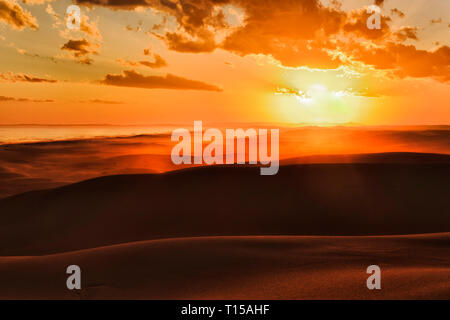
{"x":316,"y":199}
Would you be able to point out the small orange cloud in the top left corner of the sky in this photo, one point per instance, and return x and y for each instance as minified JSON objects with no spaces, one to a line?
{"x":18,"y":18}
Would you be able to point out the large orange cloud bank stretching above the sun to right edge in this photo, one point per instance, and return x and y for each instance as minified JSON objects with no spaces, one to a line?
{"x":301,"y":33}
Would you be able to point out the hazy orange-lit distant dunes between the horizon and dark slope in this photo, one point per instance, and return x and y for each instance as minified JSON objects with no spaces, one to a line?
{"x":48,"y":164}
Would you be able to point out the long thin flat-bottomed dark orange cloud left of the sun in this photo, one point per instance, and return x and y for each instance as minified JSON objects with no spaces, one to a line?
{"x":136,"y":80}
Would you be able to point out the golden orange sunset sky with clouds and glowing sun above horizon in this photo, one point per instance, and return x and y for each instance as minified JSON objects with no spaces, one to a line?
{"x":277,"y":61}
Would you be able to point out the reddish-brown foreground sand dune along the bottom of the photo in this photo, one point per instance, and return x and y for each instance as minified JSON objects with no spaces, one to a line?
{"x":413,"y":267}
